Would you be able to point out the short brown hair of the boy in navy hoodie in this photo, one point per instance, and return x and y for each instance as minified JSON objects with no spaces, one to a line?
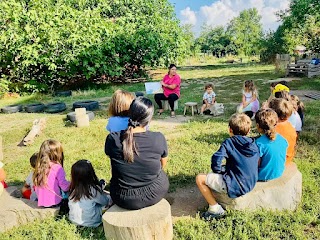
{"x":240,"y":124}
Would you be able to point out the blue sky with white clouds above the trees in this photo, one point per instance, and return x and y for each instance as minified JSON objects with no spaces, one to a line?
{"x":220,"y":12}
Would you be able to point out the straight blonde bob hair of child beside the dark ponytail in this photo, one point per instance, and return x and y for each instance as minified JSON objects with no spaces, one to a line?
{"x":120,"y":103}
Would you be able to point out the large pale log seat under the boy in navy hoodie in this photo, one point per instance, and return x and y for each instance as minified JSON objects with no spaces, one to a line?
{"x":278,"y":194}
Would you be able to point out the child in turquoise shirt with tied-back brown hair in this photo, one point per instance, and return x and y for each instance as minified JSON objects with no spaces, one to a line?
{"x":272,"y":146}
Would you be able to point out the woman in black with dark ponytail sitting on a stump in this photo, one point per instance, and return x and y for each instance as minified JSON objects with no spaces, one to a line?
{"x":138,"y":157}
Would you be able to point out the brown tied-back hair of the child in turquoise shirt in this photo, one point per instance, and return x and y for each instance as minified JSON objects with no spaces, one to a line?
{"x":266,"y":120}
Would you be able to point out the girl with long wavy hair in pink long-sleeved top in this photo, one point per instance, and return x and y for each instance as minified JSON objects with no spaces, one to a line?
{"x":49,"y":177}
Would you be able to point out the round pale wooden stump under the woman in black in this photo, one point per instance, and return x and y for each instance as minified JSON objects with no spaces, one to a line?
{"x":152,"y":222}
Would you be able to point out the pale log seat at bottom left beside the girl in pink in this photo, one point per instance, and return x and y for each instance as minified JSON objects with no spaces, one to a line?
{"x":19,"y":211}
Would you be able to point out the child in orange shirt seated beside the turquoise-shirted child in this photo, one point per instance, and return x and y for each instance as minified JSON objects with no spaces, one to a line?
{"x":284,"y":110}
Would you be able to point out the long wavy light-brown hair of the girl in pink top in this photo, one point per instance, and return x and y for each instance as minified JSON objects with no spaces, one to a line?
{"x":50,"y":151}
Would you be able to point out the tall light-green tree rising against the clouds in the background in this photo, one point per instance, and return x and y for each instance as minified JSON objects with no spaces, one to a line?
{"x":246,"y":31}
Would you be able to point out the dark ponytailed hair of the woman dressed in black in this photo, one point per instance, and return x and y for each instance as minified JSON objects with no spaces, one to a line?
{"x":140,"y":114}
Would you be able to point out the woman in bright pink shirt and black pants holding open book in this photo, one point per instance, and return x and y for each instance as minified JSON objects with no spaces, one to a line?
{"x":171,"y":89}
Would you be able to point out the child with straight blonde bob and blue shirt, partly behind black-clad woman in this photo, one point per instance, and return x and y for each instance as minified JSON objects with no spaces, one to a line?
{"x":118,"y":110}
